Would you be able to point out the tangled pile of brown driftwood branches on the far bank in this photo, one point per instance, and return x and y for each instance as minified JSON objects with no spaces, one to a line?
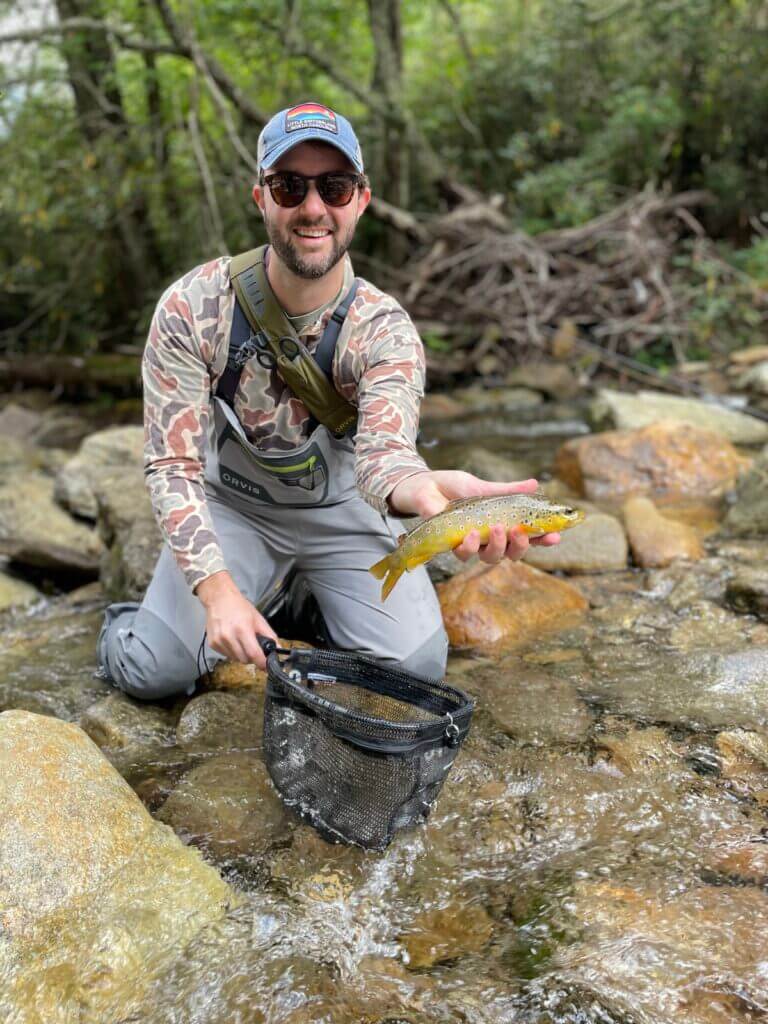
{"x":490,"y":289}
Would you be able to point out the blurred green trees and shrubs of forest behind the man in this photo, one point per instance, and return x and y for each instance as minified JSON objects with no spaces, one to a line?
{"x":129,"y":132}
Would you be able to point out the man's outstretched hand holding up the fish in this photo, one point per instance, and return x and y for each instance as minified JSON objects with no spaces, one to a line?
{"x":429,"y":494}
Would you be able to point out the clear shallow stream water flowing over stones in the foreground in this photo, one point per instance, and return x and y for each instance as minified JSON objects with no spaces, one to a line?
{"x":598,"y":856}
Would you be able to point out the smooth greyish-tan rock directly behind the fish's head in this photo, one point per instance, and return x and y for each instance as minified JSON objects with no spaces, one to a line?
{"x":596,"y":545}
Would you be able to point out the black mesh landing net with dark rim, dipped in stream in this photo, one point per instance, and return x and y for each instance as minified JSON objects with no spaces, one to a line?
{"x":356,"y":749}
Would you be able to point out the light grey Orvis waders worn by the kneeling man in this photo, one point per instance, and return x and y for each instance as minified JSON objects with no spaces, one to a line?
{"x":279,"y":517}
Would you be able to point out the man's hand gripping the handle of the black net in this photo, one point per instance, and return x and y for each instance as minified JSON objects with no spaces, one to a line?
{"x":232,"y":622}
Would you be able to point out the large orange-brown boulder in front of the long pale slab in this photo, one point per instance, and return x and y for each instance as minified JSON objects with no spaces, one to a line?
{"x":669,"y":459}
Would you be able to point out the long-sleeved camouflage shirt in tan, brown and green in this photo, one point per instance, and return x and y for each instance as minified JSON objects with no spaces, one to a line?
{"x":378,"y":367}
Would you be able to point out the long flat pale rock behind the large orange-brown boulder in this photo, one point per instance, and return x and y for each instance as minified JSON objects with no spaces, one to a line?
{"x":631,"y":412}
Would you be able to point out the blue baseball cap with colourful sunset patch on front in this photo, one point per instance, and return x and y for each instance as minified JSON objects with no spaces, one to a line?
{"x":306,"y":123}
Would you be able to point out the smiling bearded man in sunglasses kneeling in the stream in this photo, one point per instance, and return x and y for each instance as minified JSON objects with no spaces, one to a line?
{"x":251,"y":490}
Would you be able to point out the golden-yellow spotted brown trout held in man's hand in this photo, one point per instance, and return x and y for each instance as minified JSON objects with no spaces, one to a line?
{"x":535,"y":515}
